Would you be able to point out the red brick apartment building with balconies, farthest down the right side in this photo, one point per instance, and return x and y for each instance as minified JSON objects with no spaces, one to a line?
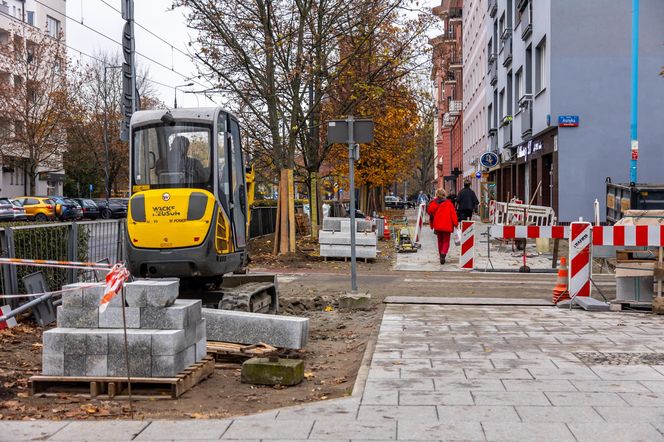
{"x":447,"y":78}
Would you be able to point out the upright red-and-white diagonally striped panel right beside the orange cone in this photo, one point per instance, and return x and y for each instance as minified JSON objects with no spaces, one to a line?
{"x":579,"y":259}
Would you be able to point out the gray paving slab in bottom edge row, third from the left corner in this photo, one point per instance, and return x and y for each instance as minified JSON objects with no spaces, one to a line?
{"x":184,"y":430}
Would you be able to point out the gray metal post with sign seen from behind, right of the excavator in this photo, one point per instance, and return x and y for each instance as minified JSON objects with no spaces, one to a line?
{"x":353,"y":132}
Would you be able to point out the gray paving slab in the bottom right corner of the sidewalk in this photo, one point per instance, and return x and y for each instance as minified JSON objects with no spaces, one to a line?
{"x":615,"y":432}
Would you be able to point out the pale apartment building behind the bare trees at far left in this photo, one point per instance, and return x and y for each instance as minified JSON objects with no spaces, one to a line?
{"x":49,"y":17}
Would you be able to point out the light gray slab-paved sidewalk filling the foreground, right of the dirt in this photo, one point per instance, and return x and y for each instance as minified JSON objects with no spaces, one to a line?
{"x":451,"y":372}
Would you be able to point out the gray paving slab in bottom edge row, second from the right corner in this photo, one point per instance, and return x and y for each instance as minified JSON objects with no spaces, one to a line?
{"x":511,"y":432}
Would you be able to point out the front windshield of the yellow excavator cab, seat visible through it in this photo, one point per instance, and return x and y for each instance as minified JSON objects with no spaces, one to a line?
{"x":166,"y":156}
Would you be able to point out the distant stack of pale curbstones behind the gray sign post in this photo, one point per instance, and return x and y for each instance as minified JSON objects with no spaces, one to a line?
{"x":334,"y":238}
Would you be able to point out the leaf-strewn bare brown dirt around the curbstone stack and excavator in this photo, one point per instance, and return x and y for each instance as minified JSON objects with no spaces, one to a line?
{"x":337,"y":340}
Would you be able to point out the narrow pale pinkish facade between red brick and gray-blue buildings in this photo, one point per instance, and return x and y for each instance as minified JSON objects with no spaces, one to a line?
{"x":475,"y":134}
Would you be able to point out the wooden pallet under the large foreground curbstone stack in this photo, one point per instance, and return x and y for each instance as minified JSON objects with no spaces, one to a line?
{"x":116,"y":387}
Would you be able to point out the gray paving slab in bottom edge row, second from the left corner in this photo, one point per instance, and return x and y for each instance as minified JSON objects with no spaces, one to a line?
{"x":92,"y":430}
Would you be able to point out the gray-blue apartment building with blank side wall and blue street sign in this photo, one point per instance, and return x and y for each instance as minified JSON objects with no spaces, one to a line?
{"x":558,"y":99}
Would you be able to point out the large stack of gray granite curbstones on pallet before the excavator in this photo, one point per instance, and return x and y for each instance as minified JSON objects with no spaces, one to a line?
{"x":164,"y":334}
